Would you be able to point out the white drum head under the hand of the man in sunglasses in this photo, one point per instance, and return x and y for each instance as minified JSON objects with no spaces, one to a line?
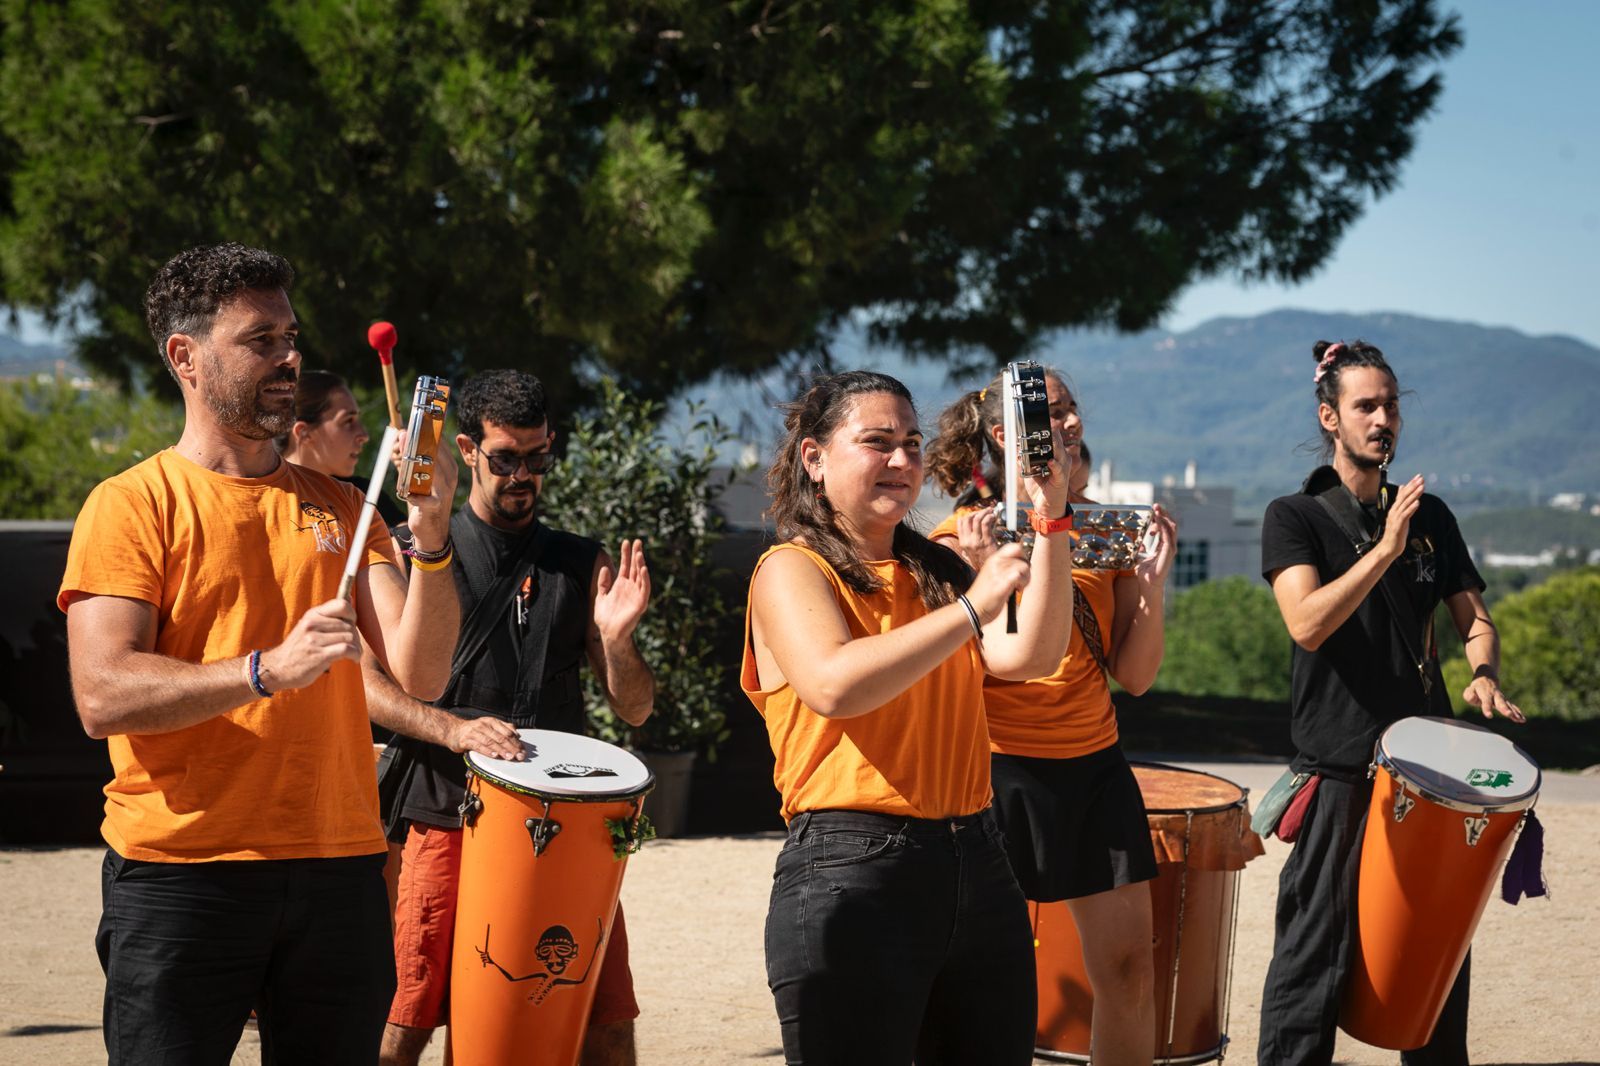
{"x":567,"y":766}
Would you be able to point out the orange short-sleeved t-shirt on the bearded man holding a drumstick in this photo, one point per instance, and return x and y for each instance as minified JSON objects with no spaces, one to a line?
{"x":231,"y":564}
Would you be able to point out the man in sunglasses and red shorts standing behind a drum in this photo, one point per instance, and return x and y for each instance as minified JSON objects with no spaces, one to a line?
{"x":537,"y":603}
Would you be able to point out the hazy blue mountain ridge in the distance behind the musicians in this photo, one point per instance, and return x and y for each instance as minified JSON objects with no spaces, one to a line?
{"x":1492,"y":415}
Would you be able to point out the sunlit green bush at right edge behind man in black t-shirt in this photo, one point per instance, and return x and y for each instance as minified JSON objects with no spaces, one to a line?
{"x":1550,"y":649}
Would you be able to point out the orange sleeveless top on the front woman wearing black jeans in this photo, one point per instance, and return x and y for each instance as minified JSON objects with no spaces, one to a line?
{"x":924,"y":755}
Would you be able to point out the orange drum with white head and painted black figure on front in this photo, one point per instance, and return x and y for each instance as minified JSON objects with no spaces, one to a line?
{"x":543,"y":854}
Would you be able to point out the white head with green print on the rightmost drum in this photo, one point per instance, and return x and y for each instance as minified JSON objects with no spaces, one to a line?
{"x":1460,"y":763}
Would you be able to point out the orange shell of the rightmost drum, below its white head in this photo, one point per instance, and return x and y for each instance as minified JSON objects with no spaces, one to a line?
{"x":1420,"y":899}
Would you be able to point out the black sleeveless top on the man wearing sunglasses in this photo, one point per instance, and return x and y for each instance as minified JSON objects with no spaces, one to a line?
{"x":527,"y":670}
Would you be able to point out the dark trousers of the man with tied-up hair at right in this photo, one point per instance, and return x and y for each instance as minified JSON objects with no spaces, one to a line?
{"x":1316,"y":936}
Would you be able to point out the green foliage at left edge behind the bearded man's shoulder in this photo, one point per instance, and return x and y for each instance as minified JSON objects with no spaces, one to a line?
{"x":62,"y":443}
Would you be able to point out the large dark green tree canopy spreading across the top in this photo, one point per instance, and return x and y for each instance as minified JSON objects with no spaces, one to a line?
{"x":676,"y":188}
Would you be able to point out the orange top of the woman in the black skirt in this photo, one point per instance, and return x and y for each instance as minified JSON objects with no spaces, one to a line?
{"x":1070,"y":713}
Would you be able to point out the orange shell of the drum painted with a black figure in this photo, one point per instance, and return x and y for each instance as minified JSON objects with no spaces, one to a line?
{"x":505,"y":888}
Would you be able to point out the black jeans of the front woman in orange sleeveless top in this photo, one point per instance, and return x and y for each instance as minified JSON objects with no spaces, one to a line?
{"x":898,"y":940}
